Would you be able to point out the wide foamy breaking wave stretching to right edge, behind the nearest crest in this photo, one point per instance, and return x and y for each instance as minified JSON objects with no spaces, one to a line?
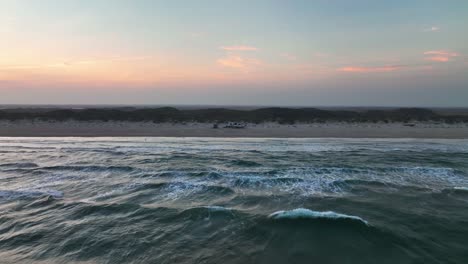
{"x":316,"y":180}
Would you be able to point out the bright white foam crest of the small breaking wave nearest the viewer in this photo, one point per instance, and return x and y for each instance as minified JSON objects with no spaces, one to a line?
{"x":301,"y":213}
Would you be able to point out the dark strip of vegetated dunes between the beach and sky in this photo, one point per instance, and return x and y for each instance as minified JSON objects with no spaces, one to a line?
{"x":275,"y":114}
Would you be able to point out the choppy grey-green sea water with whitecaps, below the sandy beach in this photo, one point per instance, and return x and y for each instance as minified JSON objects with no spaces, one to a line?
{"x":193,"y":200}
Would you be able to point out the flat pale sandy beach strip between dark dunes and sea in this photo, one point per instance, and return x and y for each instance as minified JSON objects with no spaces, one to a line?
{"x":315,"y":130}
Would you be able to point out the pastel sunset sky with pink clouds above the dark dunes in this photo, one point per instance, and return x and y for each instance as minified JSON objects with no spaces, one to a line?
{"x":219,"y":52}
